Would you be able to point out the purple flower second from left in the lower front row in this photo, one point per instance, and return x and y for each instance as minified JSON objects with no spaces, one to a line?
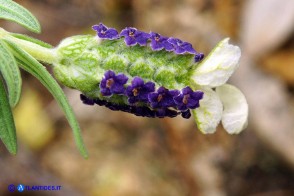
{"x":139,"y":91}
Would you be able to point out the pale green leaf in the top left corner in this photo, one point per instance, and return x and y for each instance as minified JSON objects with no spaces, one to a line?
{"x":10,"y":10}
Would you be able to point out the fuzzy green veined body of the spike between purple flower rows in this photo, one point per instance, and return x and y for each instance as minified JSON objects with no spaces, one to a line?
{"x":82,"y":61}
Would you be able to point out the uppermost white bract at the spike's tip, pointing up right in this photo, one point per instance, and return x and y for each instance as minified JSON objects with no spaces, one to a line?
{"x":218,"y":66}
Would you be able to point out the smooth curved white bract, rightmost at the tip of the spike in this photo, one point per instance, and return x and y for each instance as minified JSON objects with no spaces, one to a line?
{"x":235,"y":114}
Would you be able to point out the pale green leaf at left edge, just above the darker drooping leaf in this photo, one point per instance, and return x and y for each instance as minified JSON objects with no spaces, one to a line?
{"x":11,"y":74}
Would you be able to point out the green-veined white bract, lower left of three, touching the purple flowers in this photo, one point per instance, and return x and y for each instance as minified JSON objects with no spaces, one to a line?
{"x":209,"y":114}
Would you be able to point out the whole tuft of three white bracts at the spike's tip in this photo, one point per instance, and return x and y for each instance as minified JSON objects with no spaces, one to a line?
{"x":226,"y":103}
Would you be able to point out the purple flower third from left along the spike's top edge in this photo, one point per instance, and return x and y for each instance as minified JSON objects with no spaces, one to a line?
{"x":159,"y":42}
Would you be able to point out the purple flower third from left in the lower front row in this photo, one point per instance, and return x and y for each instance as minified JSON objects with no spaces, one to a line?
{"x":163,"y":98}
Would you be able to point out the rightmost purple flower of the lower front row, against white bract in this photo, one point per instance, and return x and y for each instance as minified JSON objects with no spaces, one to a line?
{"x":188,"y":99}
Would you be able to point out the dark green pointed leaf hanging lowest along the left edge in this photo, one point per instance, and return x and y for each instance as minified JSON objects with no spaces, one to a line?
{"x":7,"y":127}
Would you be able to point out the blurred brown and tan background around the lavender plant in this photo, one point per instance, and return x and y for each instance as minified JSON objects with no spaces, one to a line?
{"x":130,"y":155}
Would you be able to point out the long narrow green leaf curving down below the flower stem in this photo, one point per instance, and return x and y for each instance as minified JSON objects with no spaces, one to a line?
{"x":31,"y":65}
